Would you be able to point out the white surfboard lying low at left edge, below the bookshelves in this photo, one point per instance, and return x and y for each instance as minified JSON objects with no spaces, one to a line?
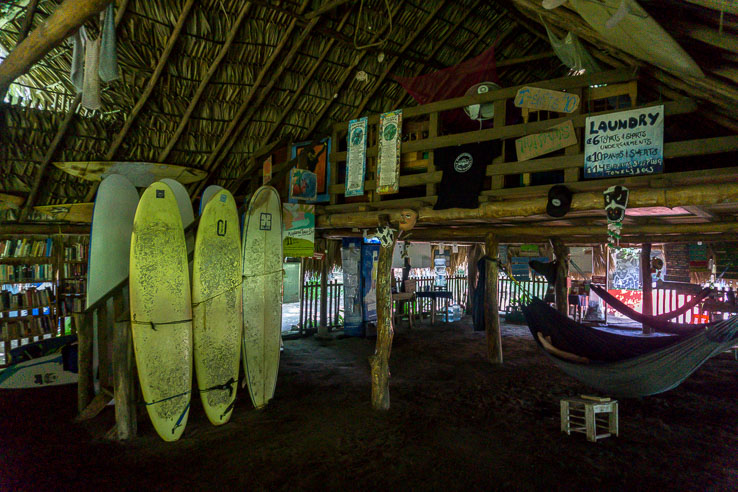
{"x":37,"y":373}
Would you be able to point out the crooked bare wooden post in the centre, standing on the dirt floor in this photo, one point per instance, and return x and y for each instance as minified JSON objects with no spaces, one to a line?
{"x":379,"y":362}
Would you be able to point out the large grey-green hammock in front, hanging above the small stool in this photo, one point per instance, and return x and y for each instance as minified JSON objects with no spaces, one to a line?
{"x":623,"y":365}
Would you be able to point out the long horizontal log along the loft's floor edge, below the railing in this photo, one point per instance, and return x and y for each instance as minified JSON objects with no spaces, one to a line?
{"x":707,"y":194}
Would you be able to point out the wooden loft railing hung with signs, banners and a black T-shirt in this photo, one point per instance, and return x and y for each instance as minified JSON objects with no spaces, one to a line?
{"x":421,"y":124}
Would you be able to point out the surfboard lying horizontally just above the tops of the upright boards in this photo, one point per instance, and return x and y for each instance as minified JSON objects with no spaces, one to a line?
{"x":141,"y":174}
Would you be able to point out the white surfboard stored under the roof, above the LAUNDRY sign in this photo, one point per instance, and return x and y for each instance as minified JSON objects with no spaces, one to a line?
{"x":636,"y":33}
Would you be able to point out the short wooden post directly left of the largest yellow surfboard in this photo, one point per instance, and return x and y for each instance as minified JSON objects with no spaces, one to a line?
{"x":123,"y":371}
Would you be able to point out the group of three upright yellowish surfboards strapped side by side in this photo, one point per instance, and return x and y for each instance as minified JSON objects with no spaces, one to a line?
{"x":231,"y":303}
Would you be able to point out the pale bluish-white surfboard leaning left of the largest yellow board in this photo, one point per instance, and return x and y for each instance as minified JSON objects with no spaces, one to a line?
{"x":107,"y":264}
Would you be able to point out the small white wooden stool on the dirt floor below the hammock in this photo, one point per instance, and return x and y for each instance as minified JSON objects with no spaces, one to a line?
{"x":581,"y":415}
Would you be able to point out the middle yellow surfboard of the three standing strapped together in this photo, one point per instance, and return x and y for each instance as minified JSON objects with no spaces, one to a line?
{"x":216,"y":306}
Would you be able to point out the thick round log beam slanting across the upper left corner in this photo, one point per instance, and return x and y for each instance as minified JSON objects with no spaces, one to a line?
{"x":65,"y":20}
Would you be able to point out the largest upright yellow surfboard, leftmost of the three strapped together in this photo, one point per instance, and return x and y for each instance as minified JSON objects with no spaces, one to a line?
{"x":161,"y":310}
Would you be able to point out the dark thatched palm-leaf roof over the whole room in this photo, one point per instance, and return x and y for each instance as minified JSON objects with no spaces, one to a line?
{"x":291,"y":73}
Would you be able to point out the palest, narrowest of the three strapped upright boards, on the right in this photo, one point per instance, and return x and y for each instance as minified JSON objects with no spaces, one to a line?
{"x":262,"y":296}
